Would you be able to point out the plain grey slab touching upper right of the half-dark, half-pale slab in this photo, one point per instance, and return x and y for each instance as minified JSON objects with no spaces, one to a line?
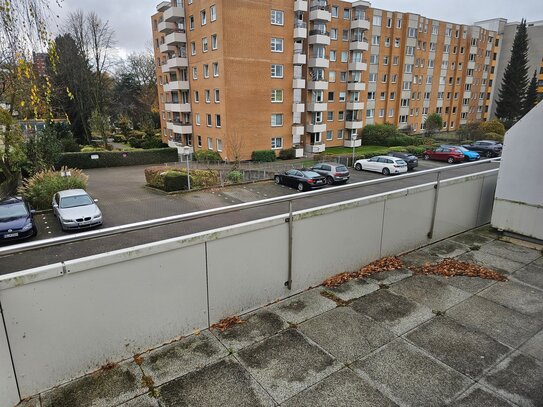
{"x":346,"y":334}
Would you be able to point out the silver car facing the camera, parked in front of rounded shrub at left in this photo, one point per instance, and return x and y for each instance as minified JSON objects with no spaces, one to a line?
{"x":75,"y":209}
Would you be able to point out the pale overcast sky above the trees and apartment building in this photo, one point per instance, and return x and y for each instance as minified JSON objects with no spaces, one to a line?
{"x":131,"y":18}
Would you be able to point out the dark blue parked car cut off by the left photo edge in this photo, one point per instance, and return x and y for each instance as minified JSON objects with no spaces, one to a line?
{"x":16,"y":219}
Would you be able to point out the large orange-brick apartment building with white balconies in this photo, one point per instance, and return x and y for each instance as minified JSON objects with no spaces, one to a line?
{"x":258,"y":75}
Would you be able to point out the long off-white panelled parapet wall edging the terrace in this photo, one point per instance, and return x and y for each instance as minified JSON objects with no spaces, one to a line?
{"x":68,"y":319}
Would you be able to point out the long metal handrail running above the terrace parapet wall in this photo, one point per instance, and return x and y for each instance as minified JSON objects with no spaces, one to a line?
{"x":24,"y":247}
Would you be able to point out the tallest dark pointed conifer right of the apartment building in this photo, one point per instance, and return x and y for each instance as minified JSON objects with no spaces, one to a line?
{"x":512,"y":94}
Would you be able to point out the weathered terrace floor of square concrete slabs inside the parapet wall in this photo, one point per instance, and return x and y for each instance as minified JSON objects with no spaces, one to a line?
{"x":396,"y":338}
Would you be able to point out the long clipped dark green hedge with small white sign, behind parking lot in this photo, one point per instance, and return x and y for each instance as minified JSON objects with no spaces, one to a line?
{"x":118,"y":158}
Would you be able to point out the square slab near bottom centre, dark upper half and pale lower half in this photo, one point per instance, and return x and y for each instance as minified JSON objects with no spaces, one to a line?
{"x":287,"y":363}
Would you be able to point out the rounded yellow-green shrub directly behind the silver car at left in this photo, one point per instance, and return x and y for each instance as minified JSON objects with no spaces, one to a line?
{"x":40,"y":188}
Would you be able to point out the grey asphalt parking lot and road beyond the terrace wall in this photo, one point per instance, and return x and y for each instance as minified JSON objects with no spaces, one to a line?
{"x":123,"y":199}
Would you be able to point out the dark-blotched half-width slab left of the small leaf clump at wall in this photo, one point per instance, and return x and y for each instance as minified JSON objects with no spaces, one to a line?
{"x":181,"y":357}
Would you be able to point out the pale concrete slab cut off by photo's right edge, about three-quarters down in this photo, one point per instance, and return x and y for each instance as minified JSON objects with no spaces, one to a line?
{"x":520,"y":297}
